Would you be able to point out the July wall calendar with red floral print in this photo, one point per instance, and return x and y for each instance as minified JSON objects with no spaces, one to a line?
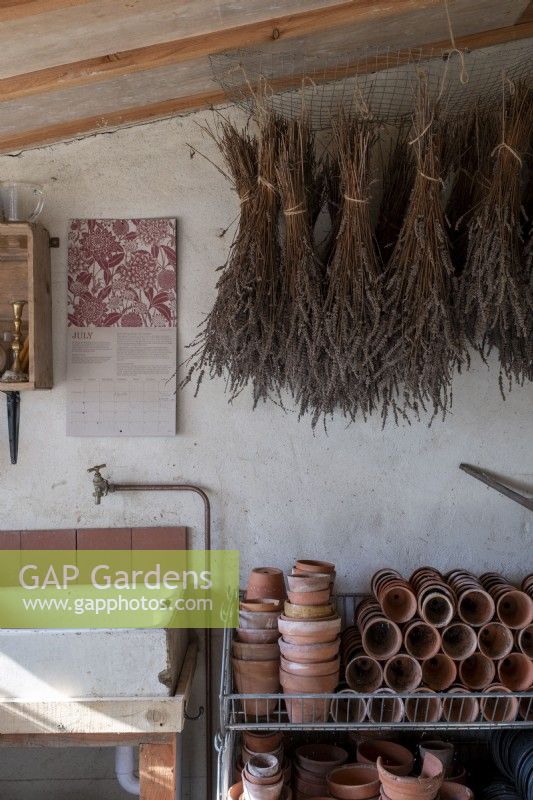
{"x":121,"y":329}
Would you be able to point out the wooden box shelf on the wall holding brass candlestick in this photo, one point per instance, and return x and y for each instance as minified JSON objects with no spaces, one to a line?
{"x":25,"y":275}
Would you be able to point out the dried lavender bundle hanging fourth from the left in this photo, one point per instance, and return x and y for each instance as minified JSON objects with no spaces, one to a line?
{"x":353,"y":308}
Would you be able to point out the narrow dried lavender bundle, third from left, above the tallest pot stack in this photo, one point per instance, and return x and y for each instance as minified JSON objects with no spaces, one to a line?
{"x":303,"y":273}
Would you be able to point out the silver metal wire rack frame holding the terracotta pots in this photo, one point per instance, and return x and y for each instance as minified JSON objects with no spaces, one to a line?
{"x":234,"y":718}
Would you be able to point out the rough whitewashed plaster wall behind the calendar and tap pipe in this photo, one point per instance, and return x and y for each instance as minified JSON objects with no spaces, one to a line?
{"x":360,"y":496}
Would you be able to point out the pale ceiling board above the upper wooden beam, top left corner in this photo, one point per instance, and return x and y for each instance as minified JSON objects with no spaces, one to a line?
{"x":98,"y":27}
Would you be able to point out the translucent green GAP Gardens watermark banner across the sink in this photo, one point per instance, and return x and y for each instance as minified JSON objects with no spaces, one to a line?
{"x":119,"y":588}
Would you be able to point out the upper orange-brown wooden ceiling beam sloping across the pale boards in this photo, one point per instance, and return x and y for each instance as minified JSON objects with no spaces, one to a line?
{"x":255,"y":34}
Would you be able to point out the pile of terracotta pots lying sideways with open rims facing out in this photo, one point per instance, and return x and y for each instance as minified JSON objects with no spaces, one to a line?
{"x":433,"y":634}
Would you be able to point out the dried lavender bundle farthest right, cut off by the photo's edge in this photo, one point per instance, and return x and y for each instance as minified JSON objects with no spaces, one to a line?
{"x":495,"y":296}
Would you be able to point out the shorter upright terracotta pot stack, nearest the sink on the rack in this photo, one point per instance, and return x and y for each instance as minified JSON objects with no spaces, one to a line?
{"x":255,"y":650}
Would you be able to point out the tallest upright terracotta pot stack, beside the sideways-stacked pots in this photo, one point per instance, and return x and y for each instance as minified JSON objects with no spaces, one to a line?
{"x":310,"y":641}
